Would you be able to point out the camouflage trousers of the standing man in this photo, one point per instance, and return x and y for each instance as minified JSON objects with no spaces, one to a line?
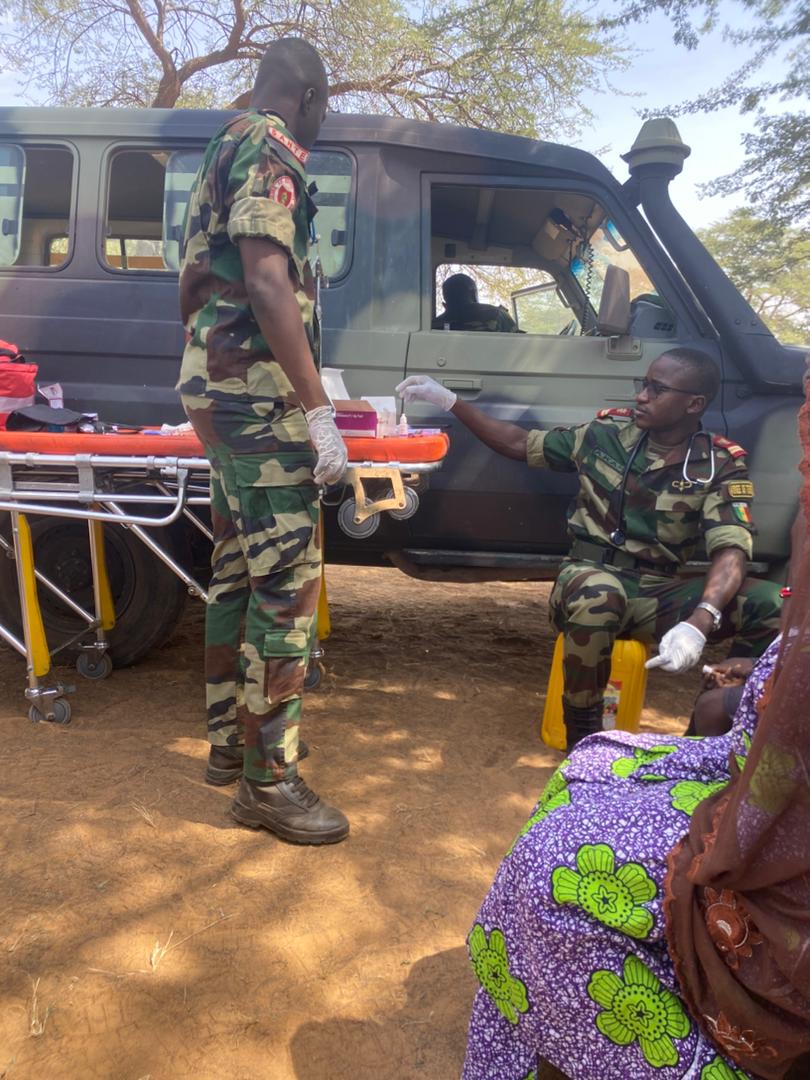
{"x":266,"y":578}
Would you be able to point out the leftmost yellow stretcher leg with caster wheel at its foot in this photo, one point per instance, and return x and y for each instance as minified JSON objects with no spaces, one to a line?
{"x":47,"y":704}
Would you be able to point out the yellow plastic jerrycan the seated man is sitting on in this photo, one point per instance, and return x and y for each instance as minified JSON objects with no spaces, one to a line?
{"x":624,"y":696}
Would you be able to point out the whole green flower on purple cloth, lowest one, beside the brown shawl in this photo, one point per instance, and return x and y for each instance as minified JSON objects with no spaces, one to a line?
{"x":639,"y":1008}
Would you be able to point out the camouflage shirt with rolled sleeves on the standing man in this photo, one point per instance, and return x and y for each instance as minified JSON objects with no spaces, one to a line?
{"x":252,"y":183}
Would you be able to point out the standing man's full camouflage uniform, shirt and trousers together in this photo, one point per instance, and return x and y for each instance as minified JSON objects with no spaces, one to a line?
{"x":264,"y":502}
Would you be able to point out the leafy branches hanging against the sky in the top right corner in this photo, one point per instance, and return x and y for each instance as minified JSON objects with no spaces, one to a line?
{"x":776,"y":174}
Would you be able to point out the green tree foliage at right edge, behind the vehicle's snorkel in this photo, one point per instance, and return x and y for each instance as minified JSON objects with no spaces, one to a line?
{"x":771,"y":265}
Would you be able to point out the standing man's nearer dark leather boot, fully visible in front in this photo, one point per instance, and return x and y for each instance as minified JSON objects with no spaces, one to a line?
{"x":290,"y":809}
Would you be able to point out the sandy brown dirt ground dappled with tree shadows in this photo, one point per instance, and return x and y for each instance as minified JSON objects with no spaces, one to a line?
{"x":147,"y":937}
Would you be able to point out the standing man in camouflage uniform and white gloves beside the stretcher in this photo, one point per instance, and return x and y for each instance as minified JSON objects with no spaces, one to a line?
{"x":251,"y":388}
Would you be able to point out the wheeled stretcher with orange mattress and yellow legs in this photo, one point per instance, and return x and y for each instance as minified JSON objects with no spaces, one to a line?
{"x":146,"y":481}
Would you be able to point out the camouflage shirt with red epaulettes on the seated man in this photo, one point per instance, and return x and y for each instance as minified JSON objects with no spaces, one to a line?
{"x":665,"y":517}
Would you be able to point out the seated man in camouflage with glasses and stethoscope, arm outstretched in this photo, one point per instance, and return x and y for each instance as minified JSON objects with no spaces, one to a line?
{"x":653,"y":483}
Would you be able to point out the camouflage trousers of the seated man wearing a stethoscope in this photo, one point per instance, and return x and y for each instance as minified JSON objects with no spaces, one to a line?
{"x":592,"y":605}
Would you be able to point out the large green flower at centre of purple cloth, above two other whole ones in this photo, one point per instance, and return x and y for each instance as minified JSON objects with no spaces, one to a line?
{"x":612,"y":896}
